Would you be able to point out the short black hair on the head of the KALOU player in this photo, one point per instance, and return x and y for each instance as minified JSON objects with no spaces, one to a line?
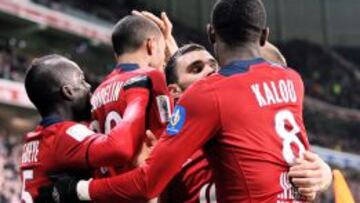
{"x":239,"y":21}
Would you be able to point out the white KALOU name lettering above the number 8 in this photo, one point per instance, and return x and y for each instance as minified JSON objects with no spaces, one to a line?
{"x":274,"y":92}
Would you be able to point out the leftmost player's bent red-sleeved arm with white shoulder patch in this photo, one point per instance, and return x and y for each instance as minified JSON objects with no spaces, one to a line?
{"x":82,"y":147}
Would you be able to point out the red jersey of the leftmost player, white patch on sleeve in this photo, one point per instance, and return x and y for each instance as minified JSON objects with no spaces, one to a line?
{"x":57,"y":146}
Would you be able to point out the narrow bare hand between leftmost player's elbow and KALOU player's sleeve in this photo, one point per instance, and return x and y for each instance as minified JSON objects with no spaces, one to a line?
{"x":146,"y":148}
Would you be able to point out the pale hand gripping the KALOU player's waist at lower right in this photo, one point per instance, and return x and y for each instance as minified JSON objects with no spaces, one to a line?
{"x":310,"y":175}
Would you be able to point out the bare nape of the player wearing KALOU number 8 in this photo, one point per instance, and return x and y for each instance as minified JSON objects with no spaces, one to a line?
{"x":239,"y":53}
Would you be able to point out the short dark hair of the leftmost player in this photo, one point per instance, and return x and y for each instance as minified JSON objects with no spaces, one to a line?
{"x":43,"y":81}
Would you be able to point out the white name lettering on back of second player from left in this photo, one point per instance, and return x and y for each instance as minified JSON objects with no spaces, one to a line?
{"x":108,"y":93}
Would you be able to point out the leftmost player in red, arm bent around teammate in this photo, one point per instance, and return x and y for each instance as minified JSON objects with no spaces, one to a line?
{"x":60,"y":144}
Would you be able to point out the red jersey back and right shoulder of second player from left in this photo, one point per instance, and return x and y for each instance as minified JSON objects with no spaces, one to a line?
{"x":109,"y":101}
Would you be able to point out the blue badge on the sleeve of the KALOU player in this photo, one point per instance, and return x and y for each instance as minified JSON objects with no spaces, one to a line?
{"x":177,"y":120}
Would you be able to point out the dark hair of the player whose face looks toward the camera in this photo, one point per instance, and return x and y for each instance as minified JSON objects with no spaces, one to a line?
{"x":170,"y":69}
